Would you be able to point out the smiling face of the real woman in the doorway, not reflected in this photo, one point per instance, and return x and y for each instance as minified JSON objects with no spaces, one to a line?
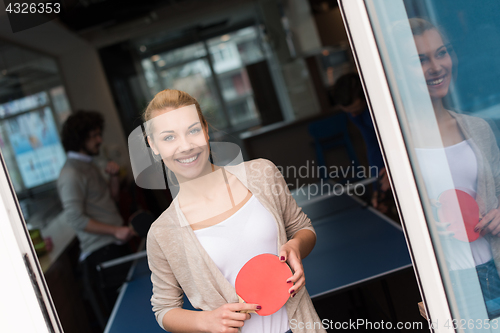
{"x":180,"y":139}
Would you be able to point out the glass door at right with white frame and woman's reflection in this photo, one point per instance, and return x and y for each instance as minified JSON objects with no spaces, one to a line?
{"x":430,"y":72}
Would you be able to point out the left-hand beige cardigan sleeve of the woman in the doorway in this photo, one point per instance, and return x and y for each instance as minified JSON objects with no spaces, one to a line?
{"x":167,"y":293}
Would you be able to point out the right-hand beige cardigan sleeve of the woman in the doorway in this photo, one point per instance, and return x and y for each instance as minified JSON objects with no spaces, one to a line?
{"x":293,"y":216}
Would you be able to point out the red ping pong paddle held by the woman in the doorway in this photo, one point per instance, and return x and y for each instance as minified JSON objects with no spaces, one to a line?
{"x":262,"y":280}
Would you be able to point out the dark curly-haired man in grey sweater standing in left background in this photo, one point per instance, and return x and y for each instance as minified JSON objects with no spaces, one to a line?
{"x":89,"y":202}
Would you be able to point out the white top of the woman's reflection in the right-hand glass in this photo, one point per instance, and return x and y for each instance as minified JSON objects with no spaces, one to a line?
{"x":463,"y":168}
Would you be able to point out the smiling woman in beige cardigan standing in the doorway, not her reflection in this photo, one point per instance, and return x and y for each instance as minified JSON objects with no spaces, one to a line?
{"x":227,"y":224}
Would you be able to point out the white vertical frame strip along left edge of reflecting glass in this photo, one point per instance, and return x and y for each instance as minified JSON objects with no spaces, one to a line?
{"x":360,"y":30}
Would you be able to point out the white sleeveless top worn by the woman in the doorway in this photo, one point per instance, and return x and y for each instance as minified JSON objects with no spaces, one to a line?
{"x":231,"y":243}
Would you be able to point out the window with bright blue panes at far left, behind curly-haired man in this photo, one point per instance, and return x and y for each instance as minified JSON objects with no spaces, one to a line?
{"x":33,"y":103}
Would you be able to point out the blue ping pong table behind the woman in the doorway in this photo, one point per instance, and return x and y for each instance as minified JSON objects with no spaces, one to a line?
{"x":355,"y":244}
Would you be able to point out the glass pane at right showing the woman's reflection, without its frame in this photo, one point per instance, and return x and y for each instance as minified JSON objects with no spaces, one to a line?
{"x":442,"y":62}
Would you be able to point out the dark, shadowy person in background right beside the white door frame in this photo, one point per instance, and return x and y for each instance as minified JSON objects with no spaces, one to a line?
{"x":348,"y":94}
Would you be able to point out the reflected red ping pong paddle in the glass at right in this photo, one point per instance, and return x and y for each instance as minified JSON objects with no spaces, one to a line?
{"x":460,"y":210}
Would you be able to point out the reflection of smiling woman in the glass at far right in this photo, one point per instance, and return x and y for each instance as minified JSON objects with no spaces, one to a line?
{"x":474,"y":161}
